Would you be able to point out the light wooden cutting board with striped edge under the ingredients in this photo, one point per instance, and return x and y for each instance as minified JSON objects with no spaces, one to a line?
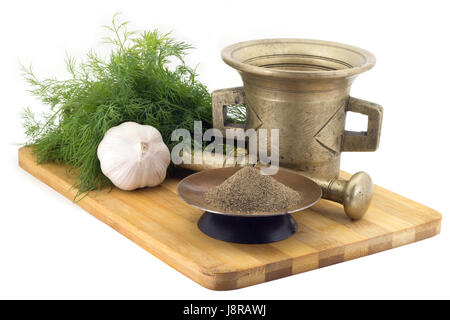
{"x":160,"y":222}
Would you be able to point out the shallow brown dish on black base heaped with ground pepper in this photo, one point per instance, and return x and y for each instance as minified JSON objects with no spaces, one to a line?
{"x":245,"y":206}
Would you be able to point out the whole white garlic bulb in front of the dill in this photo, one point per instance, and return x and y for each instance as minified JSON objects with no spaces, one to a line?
{"x":133,"y":156}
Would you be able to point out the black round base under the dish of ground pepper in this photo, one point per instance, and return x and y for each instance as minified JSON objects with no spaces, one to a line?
{"x":250,"y":230}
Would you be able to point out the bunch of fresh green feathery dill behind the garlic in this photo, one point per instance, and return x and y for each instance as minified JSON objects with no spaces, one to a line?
{"x":144,"y":80}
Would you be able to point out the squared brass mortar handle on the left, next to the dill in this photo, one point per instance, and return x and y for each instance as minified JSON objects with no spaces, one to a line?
{"x":220,"y":100}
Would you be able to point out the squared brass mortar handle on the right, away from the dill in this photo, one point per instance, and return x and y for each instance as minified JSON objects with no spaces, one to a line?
{"x":366,"y":140}
